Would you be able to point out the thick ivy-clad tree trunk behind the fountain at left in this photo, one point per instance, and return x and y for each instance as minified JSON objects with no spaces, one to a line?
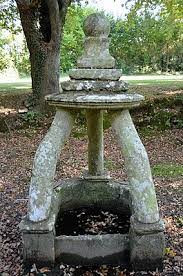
{"x":42,"y":22}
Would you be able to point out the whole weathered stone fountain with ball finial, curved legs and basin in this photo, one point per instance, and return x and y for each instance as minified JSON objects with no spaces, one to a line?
{"x":95,"y":87}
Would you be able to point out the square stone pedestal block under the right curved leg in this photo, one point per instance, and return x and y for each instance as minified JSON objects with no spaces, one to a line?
{"x":147,"y":243}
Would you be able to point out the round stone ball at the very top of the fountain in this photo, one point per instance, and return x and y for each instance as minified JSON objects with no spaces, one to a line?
{"x":96,"y":25}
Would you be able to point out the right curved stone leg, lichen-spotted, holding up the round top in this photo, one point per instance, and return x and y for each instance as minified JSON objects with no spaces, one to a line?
{"x":144,"y":203}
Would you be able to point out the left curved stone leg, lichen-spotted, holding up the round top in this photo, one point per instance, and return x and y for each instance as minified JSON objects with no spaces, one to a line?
{"x":44,"y":166}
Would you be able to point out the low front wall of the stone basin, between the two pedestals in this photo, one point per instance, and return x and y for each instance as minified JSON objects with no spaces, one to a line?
{"x":89,"y":249}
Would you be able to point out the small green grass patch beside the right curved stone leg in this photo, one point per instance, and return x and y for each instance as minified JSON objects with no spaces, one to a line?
{"x":168,"y":170}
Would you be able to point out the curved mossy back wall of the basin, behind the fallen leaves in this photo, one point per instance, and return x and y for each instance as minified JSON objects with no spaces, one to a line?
{"x":76,"y":193}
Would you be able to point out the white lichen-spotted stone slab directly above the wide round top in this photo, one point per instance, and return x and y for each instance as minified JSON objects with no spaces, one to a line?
{"x":97,"y":86}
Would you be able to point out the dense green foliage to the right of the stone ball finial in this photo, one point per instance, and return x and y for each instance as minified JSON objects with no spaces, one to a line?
{"x":146,"y":43}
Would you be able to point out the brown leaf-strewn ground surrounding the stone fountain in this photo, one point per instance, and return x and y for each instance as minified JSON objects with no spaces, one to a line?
{"x":18,"y":147}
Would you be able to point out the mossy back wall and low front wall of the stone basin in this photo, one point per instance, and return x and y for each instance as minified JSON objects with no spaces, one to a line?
{"x":93,"y":249}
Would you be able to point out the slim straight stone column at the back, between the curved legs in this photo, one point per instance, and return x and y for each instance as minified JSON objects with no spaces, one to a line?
{"x":95,"y":142}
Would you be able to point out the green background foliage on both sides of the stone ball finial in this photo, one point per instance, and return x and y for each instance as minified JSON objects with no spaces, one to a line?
{"x":143,"y":43}
